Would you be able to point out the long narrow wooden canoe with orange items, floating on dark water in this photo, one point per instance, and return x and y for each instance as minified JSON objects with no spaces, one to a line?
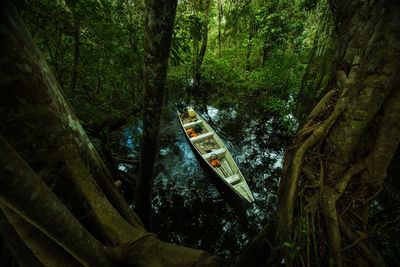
{"x":209,"y":146}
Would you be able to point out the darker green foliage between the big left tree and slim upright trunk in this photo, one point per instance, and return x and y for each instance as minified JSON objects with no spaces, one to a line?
{"x":110,"y":55}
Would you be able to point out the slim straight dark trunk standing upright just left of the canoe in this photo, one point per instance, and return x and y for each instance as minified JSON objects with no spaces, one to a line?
{"x":160,"y":16}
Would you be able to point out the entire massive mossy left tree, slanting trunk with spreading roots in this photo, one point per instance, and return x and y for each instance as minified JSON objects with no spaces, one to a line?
{"x":55,"y":192}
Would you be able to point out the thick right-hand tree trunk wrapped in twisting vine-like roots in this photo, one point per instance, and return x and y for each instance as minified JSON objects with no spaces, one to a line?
{"x":337,"y":163}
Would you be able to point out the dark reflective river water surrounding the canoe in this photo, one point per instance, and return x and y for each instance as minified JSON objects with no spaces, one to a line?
{"x":190,"y":209}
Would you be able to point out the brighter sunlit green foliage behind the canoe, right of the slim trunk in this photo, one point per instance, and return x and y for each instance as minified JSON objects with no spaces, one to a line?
{"x":265,"y":47}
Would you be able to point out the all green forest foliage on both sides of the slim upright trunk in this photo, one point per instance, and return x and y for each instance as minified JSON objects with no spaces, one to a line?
{"x":264,"y":49}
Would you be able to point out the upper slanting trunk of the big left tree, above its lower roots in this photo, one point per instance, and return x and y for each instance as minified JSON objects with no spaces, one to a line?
{"x":68,"y":148}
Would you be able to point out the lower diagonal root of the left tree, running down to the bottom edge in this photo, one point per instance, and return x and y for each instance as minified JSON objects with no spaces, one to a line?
{"x":24,"y":192}
